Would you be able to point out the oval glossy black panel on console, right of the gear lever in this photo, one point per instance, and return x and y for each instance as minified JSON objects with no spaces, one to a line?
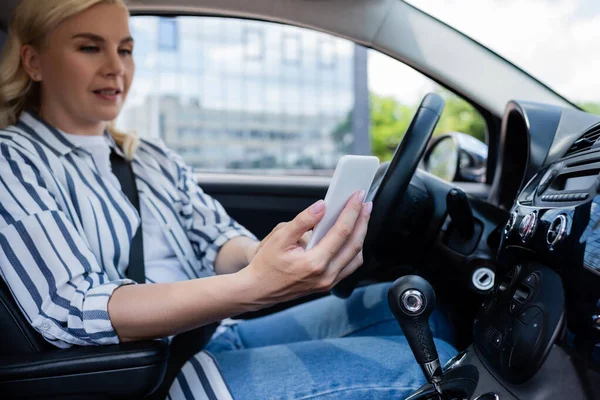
{"x":518,"y":324}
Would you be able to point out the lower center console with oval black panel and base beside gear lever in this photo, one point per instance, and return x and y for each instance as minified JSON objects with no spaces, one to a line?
{"x":514,"y":354}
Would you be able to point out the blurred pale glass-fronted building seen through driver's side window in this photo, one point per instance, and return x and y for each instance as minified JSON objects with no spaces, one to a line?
{"x":236,"y":94}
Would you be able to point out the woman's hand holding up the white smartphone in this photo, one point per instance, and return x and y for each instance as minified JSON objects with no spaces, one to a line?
{"x":283,"y":270}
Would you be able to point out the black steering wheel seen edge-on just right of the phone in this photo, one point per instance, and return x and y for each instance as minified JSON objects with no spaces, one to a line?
{"x":387,"y":192}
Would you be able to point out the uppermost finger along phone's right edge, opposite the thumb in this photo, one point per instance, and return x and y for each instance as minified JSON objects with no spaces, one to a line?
{"x":343,"y":228}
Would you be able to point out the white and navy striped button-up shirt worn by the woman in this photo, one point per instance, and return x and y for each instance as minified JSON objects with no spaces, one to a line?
{"x":65,"y":232}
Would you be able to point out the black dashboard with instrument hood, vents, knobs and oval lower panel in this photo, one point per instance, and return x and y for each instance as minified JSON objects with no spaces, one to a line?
{"x":548,"y":261}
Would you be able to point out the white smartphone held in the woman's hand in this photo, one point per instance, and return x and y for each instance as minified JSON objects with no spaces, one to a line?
{"x":352,"y":173}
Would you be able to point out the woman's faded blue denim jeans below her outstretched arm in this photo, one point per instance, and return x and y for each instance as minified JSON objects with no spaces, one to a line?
{"x":324,"y":349}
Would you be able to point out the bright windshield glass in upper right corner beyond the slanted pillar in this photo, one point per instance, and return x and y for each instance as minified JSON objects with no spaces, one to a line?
{"x":556,"y":41}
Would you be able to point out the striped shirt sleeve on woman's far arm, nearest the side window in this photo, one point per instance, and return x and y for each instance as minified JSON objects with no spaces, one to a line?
{"x":208,"y":225}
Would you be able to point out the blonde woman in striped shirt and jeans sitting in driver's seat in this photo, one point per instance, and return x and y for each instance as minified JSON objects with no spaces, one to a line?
{"x":67,"y":228}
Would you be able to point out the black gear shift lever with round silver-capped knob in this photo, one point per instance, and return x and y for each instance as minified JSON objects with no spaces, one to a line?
{"x":412,"y":300}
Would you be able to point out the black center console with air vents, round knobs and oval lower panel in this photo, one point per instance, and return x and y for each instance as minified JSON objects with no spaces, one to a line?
{"x":546,"y":293}
